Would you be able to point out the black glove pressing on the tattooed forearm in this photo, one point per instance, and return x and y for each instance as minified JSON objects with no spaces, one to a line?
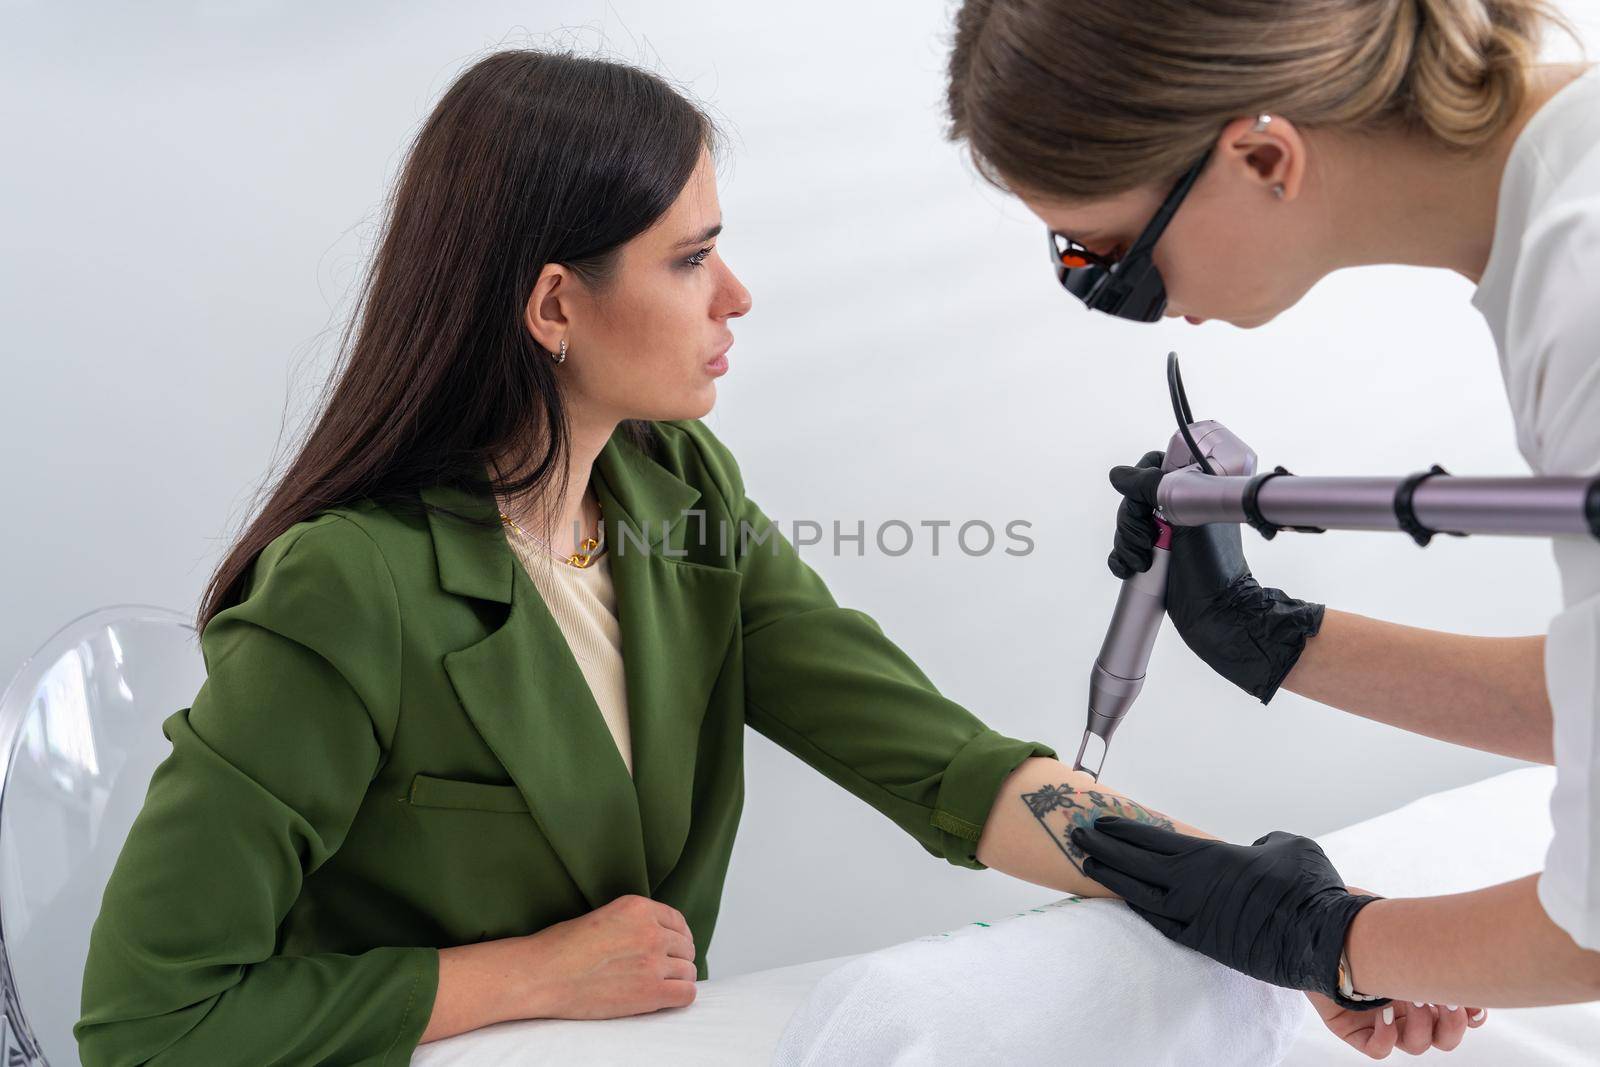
{"x":1276,"y":911}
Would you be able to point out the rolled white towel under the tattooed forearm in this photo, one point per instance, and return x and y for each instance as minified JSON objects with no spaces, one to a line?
{"x":1074,"y":981}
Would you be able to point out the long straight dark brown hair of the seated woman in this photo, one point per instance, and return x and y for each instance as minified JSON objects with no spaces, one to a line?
{"x":530,"y":158}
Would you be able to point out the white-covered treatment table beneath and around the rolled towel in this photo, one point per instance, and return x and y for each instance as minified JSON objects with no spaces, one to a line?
{"x":1455,"y":841}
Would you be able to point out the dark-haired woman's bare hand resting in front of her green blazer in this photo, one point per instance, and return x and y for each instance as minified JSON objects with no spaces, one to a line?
{"x":630,"y":957}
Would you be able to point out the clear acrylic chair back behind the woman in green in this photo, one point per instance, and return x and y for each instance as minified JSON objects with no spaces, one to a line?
{"x":81,"y":737}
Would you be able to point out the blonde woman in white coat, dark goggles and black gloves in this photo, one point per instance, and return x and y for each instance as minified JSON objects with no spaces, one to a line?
{"x":1214,"y":161}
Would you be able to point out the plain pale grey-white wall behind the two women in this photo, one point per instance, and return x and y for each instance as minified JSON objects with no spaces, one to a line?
{"x":188,"y":198}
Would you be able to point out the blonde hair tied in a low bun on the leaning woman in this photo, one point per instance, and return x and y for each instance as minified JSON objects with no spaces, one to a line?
{"x":1090,"y":98}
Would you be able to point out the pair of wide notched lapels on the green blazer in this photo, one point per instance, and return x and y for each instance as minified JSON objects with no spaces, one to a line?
{"x":529,"y":700}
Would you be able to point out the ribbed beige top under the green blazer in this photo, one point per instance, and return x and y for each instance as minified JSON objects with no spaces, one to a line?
{"x":583,"y":602}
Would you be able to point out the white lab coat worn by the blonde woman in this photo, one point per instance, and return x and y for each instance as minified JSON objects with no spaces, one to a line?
{"x":1542,"y":298}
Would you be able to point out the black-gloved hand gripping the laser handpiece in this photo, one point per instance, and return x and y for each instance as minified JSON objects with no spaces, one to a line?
{"x":1247,"y":634}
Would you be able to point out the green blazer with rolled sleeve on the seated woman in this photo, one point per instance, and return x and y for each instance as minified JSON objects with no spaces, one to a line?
{"x":394,"y":751}
